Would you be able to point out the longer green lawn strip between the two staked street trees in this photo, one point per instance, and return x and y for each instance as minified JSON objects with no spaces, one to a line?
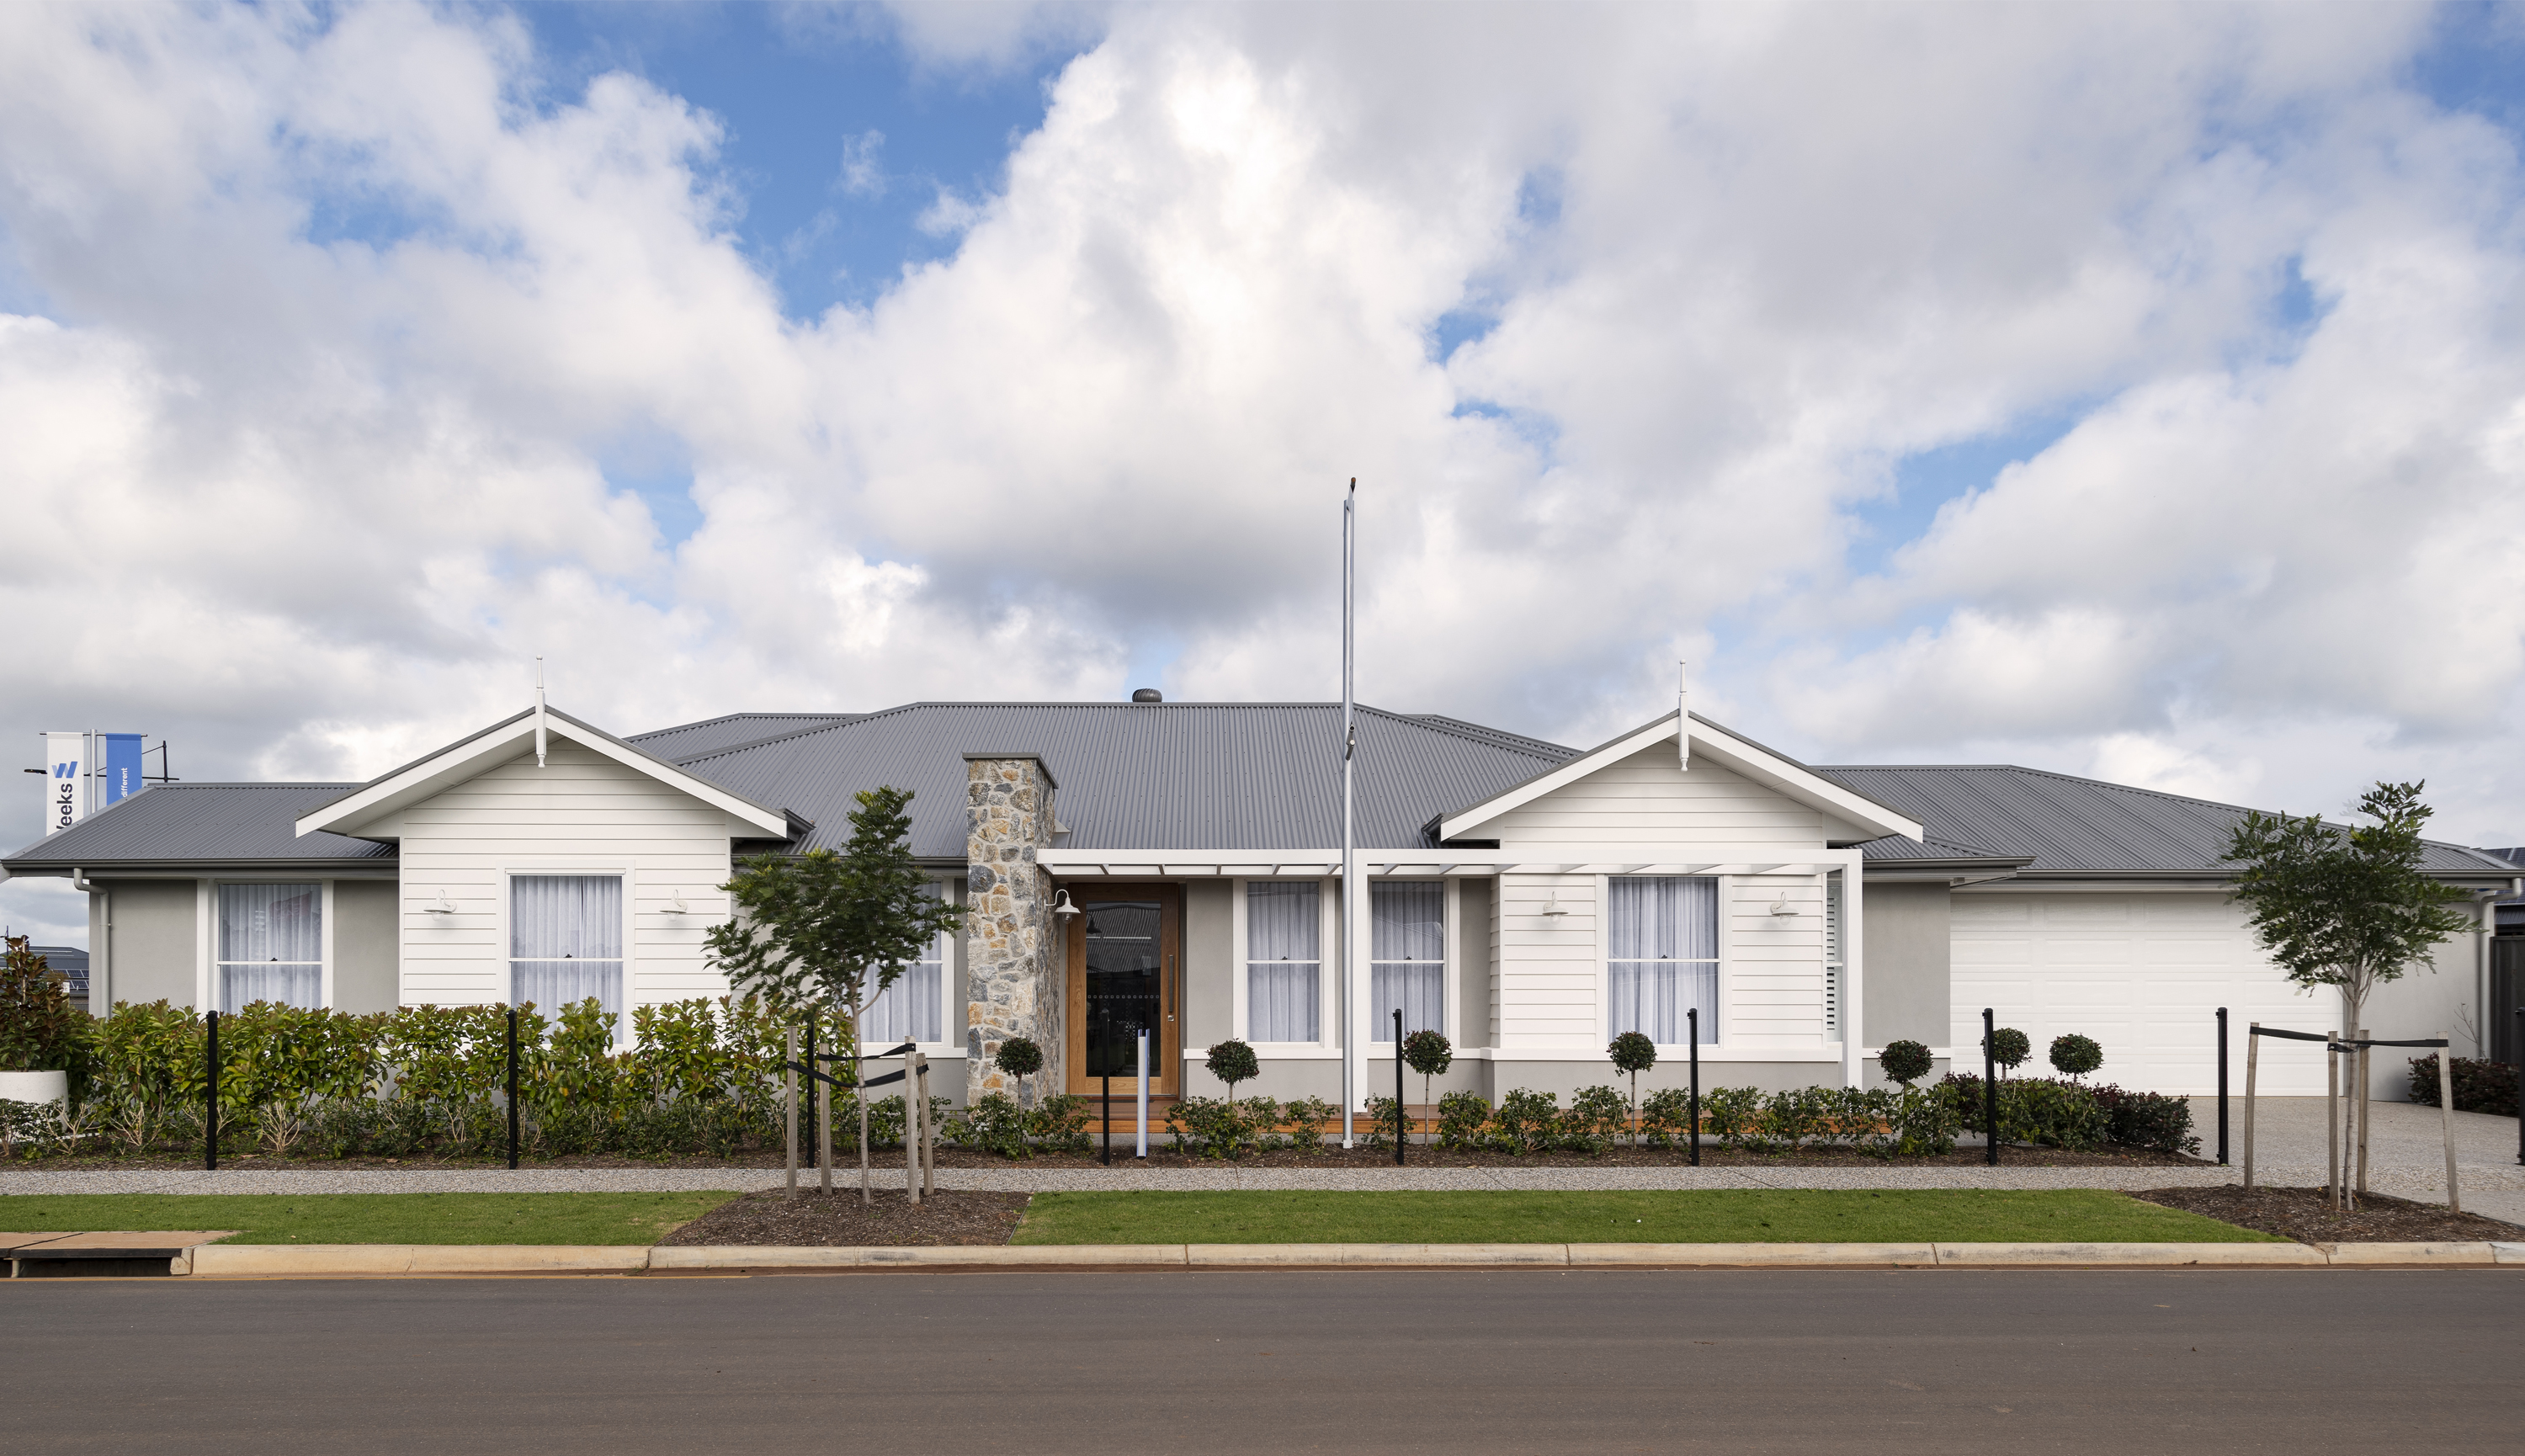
{"x":1698,"y":1218}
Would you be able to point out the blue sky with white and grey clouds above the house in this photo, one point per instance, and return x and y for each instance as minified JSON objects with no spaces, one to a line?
{"x":2132,"y":392}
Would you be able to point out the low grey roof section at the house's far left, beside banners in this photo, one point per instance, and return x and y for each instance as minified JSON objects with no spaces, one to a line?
{"x":198,"y":826}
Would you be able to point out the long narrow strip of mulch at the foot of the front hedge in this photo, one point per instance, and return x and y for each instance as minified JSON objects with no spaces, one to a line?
{"x":1170,"y":1160}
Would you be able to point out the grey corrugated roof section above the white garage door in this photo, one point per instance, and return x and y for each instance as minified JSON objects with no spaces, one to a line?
{"x":2072,"y":826}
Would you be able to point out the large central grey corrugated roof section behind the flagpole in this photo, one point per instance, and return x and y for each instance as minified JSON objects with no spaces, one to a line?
{"x":1143,"y":776}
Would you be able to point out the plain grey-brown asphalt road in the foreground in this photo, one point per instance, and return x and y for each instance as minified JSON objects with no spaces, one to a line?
{"x":1375,"y":1361}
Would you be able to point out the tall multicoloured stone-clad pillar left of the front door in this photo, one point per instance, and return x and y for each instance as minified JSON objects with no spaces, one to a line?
{"x":1016,"y":980}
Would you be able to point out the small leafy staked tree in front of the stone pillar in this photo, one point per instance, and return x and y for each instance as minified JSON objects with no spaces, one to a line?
{"x":835,"y":930}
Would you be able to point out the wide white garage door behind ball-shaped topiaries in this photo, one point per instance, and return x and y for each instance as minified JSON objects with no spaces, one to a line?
{"x":2142,"y":975}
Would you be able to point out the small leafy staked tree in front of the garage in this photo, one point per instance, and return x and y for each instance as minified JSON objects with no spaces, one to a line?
{"x":2347,"y":910}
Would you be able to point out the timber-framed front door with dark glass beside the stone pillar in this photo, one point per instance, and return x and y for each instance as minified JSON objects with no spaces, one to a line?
{"x":1125,"y":978}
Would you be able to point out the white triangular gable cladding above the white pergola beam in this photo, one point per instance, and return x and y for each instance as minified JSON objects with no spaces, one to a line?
{"x":1648,"y":801}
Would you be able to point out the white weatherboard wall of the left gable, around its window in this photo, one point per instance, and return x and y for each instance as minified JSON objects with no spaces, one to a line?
{"x":579,"y":814}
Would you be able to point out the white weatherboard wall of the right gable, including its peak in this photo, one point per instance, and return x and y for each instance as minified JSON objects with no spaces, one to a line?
{"x":1552,"y":975}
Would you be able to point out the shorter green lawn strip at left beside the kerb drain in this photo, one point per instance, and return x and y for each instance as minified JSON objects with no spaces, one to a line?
{"x":372,"y":1218}
